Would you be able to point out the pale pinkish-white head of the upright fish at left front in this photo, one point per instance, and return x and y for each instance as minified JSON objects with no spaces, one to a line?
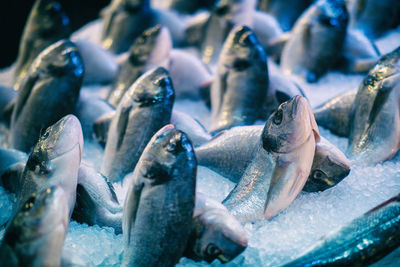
{"x":59,"y":143}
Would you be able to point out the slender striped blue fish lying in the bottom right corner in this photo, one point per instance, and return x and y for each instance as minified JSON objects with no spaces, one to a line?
{"x":360,"y":242}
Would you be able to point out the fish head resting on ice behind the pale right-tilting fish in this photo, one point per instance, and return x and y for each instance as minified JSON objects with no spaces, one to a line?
{"x":330,"y":166}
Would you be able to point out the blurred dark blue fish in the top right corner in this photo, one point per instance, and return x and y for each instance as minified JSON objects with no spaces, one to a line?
{"x":374,"y":18}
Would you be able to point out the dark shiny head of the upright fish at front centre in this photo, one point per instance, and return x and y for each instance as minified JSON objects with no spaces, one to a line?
{"x":167,"y":149}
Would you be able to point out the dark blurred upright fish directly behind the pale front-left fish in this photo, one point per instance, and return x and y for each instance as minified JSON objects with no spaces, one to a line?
{"x":49,"y":92}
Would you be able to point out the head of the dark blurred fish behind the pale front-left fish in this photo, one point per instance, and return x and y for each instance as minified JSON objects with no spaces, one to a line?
{"x":60,"y":59}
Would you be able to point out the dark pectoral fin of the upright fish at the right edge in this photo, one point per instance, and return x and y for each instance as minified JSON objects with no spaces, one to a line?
{"x":381,"y":97}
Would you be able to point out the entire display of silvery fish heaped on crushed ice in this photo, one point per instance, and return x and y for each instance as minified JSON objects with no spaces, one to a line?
{"x":263,"y":134}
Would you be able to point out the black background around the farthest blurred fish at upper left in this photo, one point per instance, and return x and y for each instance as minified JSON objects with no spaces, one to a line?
{"x":14,"y":13}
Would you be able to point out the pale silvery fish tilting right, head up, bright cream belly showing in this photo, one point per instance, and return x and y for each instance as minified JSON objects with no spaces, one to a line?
{"x":280,"y":166}
